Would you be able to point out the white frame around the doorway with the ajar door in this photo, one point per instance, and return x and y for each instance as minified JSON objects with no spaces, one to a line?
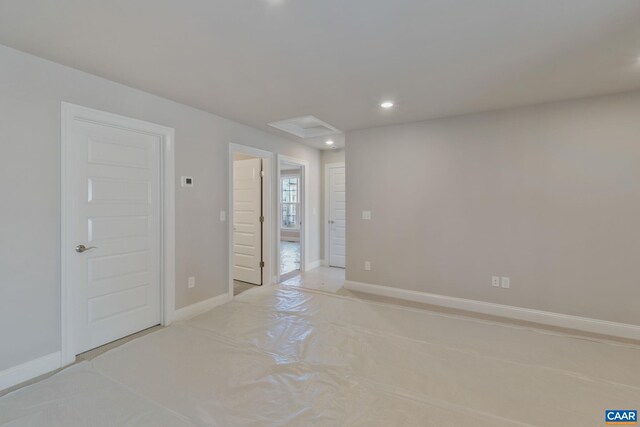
{"x":267,"y":210}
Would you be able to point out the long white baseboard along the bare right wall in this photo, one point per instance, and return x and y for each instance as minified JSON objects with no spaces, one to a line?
{"x":585,"y":324}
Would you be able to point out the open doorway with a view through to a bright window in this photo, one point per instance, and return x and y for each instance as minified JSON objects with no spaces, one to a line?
{"x":291,"y":217}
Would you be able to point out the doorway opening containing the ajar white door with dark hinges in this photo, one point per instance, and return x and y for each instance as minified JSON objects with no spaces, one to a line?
{"x":249,"y":218}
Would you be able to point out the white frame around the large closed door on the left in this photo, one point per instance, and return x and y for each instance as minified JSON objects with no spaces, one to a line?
{"x":71,"y":112}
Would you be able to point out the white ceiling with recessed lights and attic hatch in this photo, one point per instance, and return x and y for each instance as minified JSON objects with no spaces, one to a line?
{"x":257,"y":61}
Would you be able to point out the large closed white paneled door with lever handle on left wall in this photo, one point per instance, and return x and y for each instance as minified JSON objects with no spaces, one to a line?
{"x":113,"y":209}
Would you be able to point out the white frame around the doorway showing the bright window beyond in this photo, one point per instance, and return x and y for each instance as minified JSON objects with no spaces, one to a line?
{"x":304,"y":230}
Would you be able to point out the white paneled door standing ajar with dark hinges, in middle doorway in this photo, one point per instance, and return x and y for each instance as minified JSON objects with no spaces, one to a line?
{"x":247,"y":227}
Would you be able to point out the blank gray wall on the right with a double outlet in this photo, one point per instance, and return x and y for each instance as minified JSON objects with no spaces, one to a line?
{"x":547,"y":195}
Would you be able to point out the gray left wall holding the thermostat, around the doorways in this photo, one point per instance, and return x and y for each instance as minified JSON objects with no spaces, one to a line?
{"x":31,"y":90}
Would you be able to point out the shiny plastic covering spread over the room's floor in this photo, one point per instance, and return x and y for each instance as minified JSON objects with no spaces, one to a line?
{"x":284,"y":356}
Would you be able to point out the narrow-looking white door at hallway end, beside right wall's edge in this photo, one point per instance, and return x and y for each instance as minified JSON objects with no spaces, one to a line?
{"x":337,"y":217}
